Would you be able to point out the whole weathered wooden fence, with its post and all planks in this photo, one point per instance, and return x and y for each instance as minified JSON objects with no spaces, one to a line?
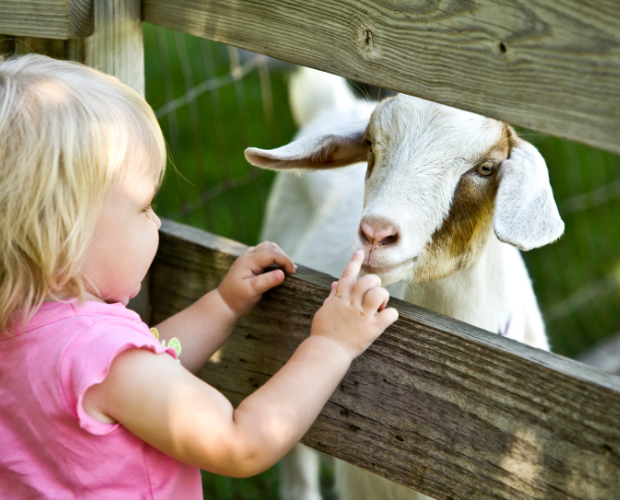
{"x":438,"y":405}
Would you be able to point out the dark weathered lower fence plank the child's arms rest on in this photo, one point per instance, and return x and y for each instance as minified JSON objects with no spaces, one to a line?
{"x":445,"y":408}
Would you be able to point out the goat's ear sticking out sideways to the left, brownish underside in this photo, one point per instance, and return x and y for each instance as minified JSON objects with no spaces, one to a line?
{"x":331,"y":148}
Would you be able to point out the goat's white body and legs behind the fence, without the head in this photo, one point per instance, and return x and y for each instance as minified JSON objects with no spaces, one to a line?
{"x":315,"y":217}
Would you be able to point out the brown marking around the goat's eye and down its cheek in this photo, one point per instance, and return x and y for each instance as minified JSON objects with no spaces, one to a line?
{"x":466,"y":230}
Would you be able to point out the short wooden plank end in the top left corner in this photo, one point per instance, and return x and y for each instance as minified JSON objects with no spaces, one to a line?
{"x":57,"y":19}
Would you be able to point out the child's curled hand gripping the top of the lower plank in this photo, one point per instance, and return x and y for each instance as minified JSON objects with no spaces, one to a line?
{"x":244,"y":284}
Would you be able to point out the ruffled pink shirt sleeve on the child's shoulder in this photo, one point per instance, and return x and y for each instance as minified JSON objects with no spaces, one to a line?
{"x":88,"y":357}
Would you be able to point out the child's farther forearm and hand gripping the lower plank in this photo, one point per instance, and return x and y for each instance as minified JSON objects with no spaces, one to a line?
{"x":204,"y":326}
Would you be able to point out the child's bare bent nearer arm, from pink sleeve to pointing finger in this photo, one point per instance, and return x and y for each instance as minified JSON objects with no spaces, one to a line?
{"x":166,"y":406}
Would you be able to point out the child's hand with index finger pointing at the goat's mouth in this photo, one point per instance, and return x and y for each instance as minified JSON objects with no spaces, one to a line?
{"x":354,"y":313}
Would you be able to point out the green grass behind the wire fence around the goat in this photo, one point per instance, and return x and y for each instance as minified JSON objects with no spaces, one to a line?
{"x":207,"y":138}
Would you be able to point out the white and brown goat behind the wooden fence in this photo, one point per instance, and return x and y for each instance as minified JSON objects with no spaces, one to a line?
{"x":448,"y":197}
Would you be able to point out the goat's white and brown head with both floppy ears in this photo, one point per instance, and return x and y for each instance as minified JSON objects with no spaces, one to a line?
{"x":439,"y":182}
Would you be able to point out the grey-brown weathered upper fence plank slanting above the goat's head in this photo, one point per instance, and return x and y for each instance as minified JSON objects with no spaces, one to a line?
{"x":541,"y":64}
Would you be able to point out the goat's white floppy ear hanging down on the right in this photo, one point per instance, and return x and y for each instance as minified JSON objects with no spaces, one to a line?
{"x":526,"y":215}
